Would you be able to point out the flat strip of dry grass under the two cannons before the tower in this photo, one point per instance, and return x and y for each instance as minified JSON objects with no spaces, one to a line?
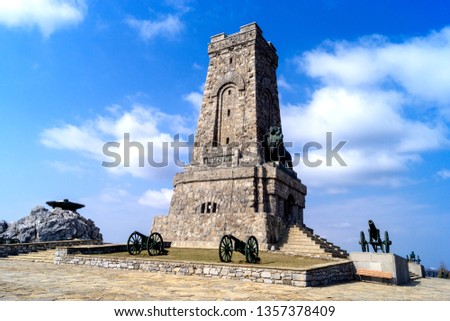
{"x":211,"y":256}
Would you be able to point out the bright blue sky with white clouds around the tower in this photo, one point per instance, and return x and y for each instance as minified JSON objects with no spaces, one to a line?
{"x":77,"y":74}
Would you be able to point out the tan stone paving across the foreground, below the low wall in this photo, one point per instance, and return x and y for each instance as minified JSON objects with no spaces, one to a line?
{"x":21,"y":280}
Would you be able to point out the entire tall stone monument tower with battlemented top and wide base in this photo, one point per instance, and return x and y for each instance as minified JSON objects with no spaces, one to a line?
{"x":240,"y":180}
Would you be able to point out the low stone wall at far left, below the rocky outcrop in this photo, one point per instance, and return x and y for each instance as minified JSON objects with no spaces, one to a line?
{"x":20,"y":248}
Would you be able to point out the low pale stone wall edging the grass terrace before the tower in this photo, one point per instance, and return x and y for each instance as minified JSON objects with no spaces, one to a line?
{"x":336,"y":272}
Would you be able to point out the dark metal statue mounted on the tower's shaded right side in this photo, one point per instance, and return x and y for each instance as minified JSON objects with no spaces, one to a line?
{"x":274,"y":148}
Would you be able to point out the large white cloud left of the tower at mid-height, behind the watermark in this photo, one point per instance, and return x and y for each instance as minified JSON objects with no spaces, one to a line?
{"x":141,"y":141}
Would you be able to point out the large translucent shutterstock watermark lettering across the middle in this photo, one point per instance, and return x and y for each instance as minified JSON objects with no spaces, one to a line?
{"x":158,"y":154}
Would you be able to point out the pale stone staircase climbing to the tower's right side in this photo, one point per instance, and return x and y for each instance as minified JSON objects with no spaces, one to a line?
{"x":301,"y":240}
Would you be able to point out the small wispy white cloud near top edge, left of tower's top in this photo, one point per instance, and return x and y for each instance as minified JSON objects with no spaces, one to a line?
{"x":169,"y":27}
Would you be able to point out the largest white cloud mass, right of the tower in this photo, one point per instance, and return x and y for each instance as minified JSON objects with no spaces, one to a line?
{"x":379,"y":97}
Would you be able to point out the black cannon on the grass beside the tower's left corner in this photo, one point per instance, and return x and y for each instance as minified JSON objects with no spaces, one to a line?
{"x":138,"y":241}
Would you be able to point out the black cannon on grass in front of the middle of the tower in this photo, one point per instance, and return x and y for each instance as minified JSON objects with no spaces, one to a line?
{"x":229,"y":243}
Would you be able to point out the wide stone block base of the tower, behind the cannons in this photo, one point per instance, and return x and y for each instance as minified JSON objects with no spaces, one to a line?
{"x":246,"y":201}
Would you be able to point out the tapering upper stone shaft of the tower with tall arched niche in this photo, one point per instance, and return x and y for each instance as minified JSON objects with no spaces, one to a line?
{"x":240,"y":101}
